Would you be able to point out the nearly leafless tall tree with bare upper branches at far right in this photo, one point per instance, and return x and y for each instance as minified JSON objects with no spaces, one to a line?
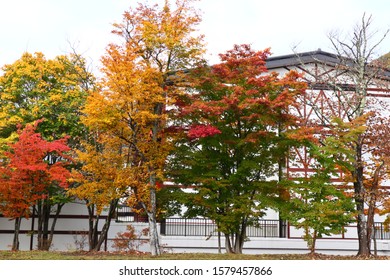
{"x":360,"y":68}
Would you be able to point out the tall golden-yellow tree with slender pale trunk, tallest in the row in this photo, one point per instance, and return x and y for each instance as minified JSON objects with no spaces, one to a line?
{"x":127,"y":116}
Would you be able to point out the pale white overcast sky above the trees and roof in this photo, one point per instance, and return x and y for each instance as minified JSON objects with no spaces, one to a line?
{"x":50,"y":26}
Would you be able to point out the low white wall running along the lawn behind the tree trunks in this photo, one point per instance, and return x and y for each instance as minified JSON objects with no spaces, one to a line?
{"x":194,"y":244}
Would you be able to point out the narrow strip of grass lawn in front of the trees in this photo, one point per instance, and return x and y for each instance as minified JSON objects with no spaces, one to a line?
{"x":81,"y":255}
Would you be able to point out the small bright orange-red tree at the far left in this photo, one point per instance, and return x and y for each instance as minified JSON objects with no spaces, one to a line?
{"x":26,"y":177}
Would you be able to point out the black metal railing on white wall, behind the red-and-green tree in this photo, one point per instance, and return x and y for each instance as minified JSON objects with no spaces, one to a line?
{"x":206,"y":227}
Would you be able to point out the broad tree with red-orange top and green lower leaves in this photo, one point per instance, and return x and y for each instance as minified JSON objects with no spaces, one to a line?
{"x":236,"y":129}
